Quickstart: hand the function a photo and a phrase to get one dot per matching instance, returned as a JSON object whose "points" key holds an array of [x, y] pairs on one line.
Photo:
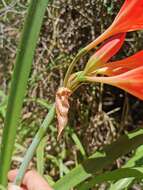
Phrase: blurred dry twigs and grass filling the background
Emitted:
{"points": [[98, 115]]}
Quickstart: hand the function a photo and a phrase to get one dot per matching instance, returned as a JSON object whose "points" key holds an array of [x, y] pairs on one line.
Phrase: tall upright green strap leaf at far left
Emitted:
{"points": [[22, 69]]}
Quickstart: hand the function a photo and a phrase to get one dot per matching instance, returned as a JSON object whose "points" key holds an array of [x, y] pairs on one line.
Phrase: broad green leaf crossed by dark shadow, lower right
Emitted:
{"points": [[99, 161]]}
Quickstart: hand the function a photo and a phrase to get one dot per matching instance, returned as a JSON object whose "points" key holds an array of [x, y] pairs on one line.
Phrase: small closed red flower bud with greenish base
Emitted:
{"points": [[105, 52]]}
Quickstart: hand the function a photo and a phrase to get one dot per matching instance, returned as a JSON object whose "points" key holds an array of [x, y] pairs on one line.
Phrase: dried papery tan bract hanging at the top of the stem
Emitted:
{"points": [[62, 108]]}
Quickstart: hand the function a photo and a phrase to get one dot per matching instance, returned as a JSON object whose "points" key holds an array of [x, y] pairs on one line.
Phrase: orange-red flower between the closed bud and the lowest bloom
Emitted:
{"points": [[119, 67]]}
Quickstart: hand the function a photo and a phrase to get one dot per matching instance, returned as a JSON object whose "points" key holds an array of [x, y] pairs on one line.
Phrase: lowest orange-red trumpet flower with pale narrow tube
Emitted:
{"points": [[131, 81]]}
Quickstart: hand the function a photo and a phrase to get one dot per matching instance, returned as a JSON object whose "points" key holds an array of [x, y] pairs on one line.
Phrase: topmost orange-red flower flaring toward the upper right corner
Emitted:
{"points": [[129, 18]]}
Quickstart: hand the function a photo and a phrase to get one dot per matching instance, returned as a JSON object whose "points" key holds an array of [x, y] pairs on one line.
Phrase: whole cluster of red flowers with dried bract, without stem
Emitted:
{"points": [[126, 74]]}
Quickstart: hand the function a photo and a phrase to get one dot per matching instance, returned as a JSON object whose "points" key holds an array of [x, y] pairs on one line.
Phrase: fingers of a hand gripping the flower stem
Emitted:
{"points": [[32, 181]]}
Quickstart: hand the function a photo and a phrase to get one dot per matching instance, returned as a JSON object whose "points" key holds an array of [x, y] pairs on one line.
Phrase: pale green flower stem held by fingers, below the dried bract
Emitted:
{"points": [[31, 150]]}
